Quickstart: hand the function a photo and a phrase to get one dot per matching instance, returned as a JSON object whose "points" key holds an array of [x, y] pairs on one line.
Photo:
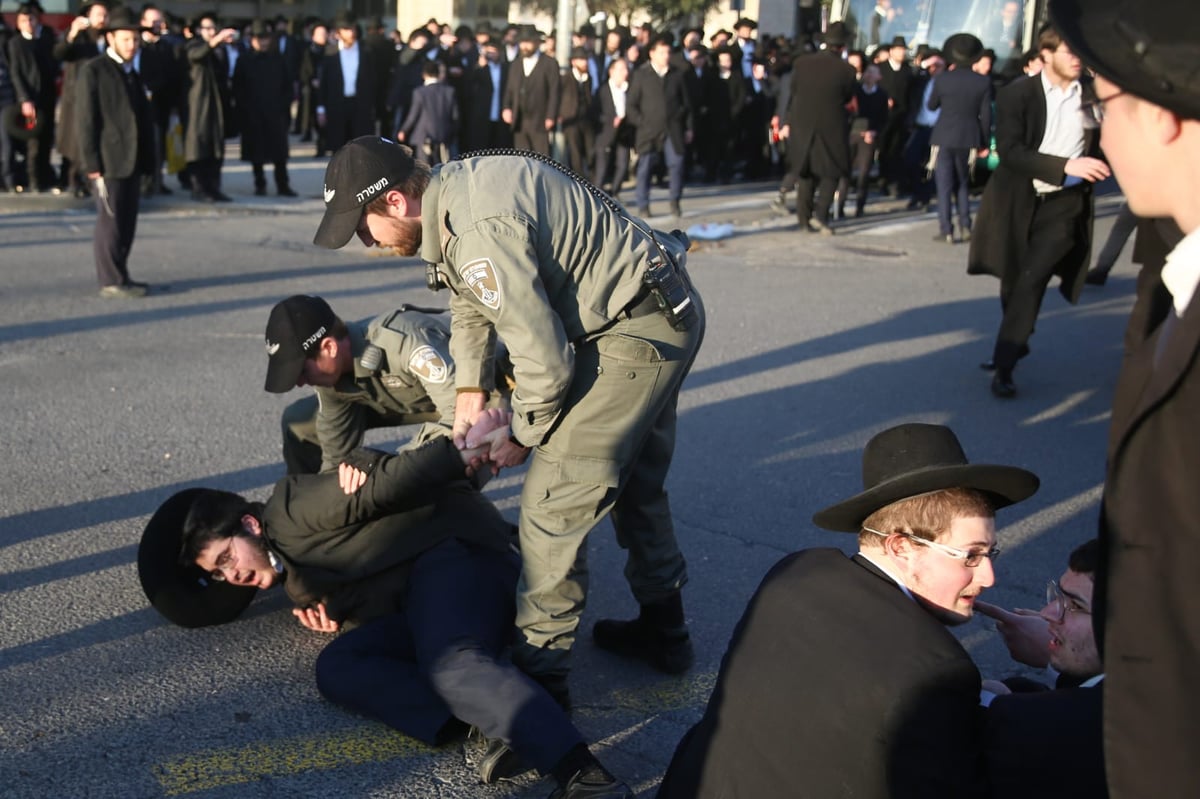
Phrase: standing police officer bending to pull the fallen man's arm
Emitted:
{"points": [[602, 325]]}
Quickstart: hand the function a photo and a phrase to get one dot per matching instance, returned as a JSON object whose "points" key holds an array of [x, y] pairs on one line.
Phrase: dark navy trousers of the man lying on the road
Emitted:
{"points": [[443, 658]]}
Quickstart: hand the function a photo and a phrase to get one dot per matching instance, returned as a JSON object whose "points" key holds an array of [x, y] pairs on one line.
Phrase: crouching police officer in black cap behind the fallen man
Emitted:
{"points": [[385, 373]]}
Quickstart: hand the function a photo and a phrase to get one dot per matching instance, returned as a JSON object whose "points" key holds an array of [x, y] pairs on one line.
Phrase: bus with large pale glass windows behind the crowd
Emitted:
{"points": [[1007, 27]]}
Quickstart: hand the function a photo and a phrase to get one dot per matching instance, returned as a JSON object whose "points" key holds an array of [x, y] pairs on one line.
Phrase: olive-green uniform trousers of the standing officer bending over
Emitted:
{"points": [[610, 450]]}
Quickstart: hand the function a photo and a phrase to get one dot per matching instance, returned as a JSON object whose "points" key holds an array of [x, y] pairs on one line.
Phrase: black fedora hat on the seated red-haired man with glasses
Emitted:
{"points": [[915, 459]]}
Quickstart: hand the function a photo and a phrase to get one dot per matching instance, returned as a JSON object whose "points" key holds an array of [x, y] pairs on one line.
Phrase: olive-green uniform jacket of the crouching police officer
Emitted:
{"points": [[415, 382]]}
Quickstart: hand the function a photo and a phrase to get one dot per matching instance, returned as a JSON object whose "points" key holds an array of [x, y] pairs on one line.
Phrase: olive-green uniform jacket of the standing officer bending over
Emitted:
{"points": [[535, 257]]}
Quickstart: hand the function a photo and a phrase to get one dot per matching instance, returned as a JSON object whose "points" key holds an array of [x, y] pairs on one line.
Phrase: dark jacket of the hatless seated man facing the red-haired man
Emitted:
{"points": [[1046, 746]]}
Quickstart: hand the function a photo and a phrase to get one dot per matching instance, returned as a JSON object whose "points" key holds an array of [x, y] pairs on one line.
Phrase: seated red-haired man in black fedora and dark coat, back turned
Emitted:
{"points": [[842, 678]]}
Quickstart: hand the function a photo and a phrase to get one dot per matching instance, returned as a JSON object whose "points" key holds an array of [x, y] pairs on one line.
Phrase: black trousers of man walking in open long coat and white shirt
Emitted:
{"points": [[1052, 239]]}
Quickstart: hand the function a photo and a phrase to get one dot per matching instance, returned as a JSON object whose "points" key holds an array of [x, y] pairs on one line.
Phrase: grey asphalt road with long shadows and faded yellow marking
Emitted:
{"points": [[813, 346]]}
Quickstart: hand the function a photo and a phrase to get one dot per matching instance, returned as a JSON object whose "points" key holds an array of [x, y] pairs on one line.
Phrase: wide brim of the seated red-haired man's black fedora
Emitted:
{"points": [[1003, 484]]}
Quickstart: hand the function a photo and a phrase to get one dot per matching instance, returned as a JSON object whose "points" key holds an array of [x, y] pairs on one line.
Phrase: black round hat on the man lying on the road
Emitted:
{"points": [[184, 596]]}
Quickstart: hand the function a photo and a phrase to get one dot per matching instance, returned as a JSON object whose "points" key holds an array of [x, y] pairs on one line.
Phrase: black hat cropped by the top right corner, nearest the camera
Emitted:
{"points": [[1150, 50]]}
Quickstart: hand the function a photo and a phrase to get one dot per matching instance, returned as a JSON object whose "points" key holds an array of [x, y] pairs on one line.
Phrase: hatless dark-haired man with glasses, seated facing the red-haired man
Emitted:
{"points": [[1047, 743]]}
